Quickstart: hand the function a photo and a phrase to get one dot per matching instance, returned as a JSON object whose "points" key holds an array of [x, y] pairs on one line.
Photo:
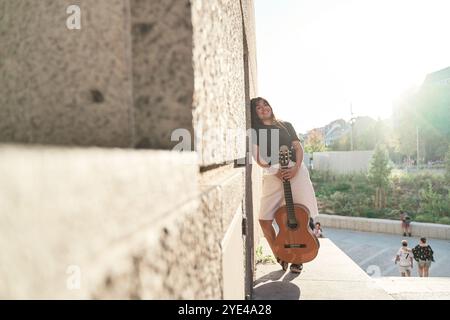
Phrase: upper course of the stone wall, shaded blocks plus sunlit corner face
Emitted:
{"points": [[136, 71]]}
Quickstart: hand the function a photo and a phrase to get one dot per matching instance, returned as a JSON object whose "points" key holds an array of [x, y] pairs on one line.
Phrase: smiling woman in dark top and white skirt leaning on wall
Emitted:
{"points": [[268, 128]]}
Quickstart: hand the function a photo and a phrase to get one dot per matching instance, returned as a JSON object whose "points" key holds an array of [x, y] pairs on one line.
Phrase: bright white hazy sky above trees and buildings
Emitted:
{"points": [[316, 58]]}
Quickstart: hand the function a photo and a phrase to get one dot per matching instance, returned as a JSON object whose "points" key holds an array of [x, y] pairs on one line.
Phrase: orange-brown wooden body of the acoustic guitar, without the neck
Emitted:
{"points": [[295, 245]]}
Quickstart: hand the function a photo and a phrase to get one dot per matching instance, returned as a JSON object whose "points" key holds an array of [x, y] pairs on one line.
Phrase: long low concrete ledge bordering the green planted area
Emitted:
{"points": [[419, 229]]}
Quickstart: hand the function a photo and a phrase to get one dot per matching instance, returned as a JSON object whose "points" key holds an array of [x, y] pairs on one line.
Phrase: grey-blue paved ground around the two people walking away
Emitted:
{"points": [[374, 252]]}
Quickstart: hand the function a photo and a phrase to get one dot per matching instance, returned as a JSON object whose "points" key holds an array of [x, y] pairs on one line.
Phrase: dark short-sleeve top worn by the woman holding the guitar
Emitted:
{"points": [[286, 137]]}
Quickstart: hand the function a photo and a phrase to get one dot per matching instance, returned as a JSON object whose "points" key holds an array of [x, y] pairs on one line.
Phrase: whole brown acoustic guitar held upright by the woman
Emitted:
{"points": [[295, 242]]}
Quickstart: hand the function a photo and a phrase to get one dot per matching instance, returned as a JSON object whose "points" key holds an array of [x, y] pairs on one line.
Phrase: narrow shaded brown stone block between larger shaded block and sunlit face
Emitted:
{"points": [[163, 76]]}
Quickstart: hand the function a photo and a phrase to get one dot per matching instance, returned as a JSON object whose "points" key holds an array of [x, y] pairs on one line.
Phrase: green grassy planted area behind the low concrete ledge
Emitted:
{"points": [[424, 196]]}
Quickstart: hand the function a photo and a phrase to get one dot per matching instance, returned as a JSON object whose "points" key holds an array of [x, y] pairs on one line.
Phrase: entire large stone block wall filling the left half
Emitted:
{"points": [[132, 224]]}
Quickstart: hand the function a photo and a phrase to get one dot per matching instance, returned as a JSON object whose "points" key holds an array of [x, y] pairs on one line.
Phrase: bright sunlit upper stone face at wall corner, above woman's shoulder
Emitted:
{"points": [[219, 97]]}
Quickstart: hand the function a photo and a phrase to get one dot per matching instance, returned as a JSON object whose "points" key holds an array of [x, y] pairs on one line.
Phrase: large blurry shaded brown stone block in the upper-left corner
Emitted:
{"points": [[61, 86]]}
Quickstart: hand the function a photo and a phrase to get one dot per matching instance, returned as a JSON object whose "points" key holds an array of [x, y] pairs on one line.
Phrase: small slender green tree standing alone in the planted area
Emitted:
{"points": [[379, 173]]}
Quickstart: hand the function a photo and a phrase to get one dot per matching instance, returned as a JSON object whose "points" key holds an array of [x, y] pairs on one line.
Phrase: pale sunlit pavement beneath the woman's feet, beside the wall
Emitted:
{"points": [[332, 275]]}
